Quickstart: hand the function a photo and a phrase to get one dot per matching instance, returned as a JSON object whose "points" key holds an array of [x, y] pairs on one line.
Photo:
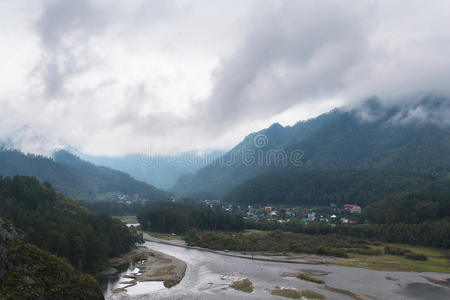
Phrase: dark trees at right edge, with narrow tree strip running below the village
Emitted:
{"points": [[412, 218]]}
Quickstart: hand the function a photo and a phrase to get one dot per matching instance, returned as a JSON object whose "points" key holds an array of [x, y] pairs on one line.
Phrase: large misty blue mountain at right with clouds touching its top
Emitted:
{"points": [[413, 137]]}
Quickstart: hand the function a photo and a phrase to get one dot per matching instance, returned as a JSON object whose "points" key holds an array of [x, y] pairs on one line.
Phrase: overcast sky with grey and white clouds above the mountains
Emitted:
{"points": [[116, 77]]}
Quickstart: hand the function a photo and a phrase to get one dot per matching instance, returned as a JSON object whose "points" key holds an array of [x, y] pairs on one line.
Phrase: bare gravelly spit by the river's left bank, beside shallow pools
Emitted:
{"points": [[153, 266]]}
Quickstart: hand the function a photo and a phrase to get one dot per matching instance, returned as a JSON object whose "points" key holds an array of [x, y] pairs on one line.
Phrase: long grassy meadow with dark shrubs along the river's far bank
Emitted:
{"points": [[347, 251]]}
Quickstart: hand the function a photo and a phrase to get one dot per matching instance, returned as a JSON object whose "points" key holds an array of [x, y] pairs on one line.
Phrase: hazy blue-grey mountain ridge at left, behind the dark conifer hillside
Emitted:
{"points": [[75, 177]]}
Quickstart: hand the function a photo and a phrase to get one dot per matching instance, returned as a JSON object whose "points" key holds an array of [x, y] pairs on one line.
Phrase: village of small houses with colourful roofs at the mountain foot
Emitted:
{"points": [[333, 214]]}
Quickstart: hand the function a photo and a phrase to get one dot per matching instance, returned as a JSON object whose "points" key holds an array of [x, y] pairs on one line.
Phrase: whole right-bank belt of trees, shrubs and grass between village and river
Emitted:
{"points": [[390, 239]]}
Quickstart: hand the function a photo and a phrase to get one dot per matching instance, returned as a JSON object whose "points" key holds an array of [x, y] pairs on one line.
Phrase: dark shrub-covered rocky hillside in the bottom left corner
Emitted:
{"points": [[27, 272]]}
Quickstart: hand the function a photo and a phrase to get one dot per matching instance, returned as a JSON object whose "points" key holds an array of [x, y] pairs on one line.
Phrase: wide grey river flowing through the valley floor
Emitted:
{"points": [[209, 275]]}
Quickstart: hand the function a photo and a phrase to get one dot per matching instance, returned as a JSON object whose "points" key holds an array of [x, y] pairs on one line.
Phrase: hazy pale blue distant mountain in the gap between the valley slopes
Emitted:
{"points": [[162, 171]]}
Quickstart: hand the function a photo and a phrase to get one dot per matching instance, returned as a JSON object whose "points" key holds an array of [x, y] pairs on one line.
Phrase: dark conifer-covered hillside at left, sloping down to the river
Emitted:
{"points": [[61, 226]]}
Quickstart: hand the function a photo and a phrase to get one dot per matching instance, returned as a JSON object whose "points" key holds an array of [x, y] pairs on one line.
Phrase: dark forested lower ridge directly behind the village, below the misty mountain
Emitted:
{"points": [[325, 187]]}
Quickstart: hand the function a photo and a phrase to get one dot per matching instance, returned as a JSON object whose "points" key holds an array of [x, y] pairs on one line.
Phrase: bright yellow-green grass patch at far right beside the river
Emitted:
{"points": [[438, 260]]}
